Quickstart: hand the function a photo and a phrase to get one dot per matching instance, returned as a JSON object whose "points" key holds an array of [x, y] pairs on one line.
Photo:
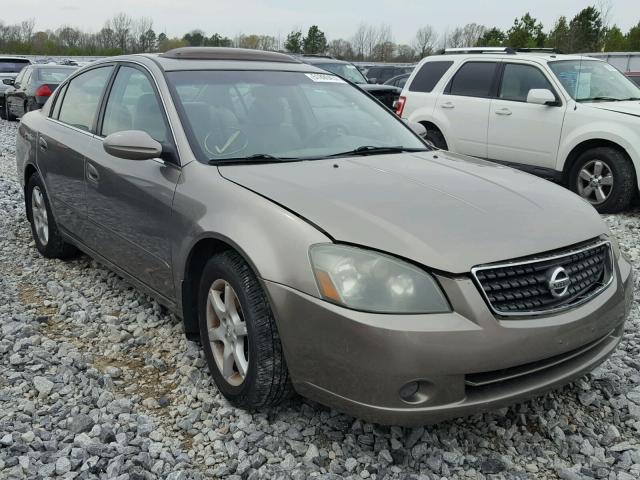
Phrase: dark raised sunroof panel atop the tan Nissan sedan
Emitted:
{"points": [[227, 53]]}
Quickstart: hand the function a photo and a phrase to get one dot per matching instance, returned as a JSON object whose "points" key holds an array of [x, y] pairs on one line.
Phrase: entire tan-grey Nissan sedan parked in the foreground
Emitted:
{"points": [[312, 241]]}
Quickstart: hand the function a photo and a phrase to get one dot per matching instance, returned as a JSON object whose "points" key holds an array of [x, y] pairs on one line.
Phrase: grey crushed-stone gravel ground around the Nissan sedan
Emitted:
{"points": [[97, 381]]}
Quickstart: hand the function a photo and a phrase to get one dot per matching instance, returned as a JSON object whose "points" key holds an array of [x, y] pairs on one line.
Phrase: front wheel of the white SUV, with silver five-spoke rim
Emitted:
{"points": [[605, 178]]}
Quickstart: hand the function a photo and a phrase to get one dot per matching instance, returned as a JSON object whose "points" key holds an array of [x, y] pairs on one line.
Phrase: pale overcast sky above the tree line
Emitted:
{"points": [[337, 18]]}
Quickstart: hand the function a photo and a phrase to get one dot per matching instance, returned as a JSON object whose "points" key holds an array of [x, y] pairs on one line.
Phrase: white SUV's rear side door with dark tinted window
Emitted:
{"points": [[462, 110]]}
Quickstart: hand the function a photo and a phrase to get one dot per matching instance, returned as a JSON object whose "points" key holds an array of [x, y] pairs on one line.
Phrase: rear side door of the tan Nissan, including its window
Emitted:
{"points": [[64, 142]]}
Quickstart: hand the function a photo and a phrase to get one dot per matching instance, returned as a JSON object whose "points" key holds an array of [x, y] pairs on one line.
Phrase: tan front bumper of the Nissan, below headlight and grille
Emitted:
{"points": [[464, 362]]}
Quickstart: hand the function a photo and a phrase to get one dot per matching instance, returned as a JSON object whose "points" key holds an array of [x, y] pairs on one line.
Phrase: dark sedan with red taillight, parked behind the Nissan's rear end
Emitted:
{"points": [[32, 87]]}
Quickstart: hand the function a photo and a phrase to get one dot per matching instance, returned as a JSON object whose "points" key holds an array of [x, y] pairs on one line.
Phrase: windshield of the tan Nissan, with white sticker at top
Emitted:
{"points": [[284, 115]]}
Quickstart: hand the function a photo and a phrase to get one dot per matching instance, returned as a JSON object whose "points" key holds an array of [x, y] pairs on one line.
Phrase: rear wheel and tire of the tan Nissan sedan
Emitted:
{"points": [[44, 229]]}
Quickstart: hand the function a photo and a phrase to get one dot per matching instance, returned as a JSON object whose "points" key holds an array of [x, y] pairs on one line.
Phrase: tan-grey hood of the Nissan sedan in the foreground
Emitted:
{"points": [[442, 210]]}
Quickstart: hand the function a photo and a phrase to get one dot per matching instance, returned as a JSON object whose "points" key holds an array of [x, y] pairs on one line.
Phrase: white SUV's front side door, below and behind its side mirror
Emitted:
{"points": [[522, 132]]}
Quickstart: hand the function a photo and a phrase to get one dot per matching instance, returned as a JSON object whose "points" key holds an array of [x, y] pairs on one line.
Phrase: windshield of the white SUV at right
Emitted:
{"points": [[593, 80]]}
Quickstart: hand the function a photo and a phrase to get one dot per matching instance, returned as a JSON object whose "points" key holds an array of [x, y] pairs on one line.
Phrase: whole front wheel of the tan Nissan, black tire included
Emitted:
{"points": [[239, 334]]}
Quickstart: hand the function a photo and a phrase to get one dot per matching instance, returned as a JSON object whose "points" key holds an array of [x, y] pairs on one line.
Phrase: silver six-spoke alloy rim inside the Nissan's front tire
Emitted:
{"points": [[227, 332]]}
